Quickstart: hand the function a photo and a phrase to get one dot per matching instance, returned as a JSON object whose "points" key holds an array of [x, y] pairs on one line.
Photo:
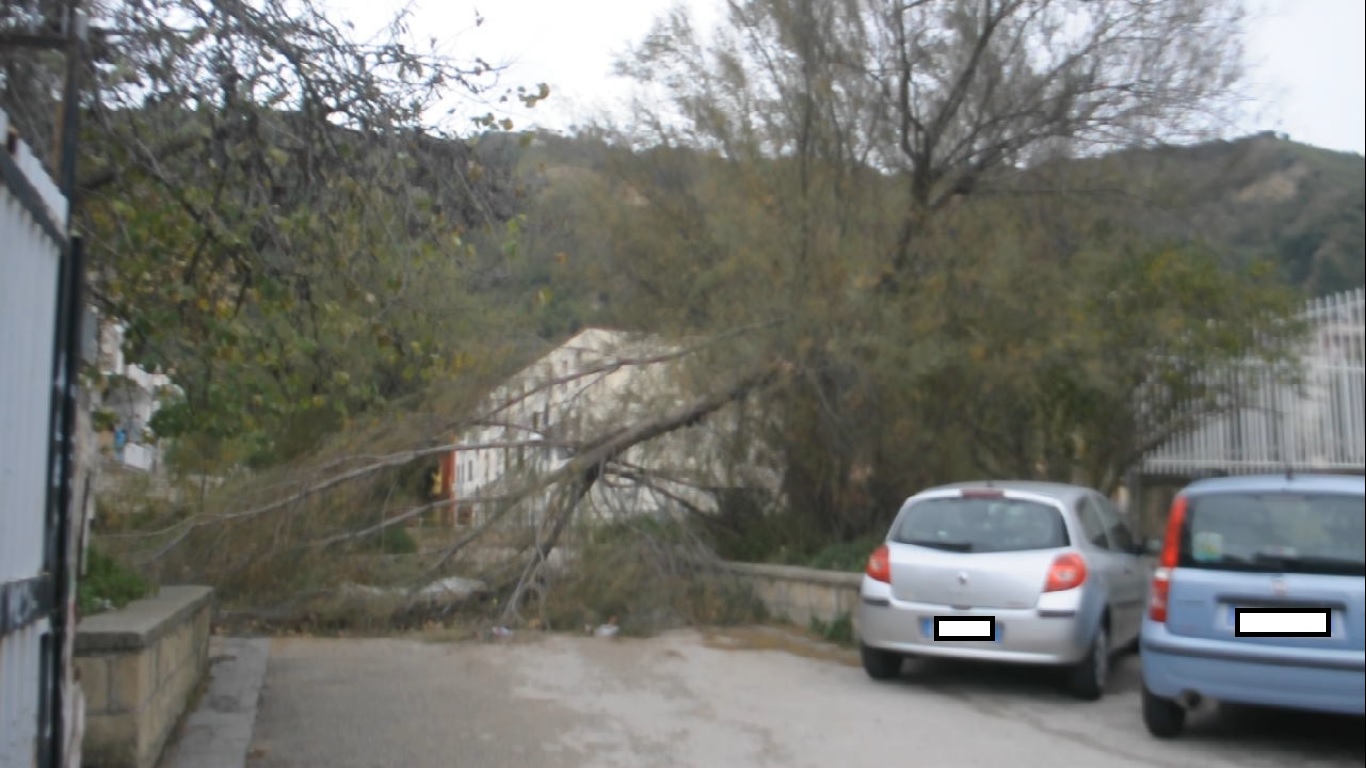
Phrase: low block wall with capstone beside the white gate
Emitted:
{"points": [[139, 669]]}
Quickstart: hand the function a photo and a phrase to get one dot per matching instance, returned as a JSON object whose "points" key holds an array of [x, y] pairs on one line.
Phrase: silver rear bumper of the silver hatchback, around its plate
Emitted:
{"points": [[1029, 636]]}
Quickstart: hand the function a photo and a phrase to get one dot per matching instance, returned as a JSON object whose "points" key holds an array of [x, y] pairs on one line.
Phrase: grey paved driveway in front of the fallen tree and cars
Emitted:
{"points": [[685, 700]]}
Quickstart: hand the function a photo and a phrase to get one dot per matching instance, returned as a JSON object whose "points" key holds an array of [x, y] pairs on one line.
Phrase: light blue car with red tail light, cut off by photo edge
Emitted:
{"points": [[1259, 598]]}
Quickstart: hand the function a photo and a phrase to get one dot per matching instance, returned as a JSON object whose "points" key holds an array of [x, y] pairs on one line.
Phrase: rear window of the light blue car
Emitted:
{"points": [[1277, 534]]}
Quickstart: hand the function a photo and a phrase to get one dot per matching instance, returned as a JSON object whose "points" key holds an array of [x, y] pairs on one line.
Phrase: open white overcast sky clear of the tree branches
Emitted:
{"points": [[1308, 57]]}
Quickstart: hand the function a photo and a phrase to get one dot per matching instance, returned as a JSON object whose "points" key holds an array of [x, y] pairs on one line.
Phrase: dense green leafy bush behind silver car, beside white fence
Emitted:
{"points": [[1078, 359]]}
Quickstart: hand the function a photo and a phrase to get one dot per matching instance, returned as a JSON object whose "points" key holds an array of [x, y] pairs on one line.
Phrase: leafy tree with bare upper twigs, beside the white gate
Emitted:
{"points": [[277, 208]]}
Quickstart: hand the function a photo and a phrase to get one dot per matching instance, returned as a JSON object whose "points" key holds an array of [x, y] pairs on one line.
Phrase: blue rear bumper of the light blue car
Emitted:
{"points": [[1322, 683]]}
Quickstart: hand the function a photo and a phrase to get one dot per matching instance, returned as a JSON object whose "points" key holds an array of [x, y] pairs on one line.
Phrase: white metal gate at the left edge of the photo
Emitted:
{"points": [[33, 217]]}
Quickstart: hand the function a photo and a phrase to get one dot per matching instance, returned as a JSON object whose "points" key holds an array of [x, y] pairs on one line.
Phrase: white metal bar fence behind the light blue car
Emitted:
{"points": [[1315, 424]]}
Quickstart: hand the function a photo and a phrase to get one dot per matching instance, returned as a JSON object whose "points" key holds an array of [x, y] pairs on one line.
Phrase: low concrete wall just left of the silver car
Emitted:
{"points": [[800, 595]]}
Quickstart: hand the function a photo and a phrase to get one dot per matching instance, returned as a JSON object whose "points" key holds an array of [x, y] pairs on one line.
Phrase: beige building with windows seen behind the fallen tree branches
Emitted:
{"points": [[594, 385]]}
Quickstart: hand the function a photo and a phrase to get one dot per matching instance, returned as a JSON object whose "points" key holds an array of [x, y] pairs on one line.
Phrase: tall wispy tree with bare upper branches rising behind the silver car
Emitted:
{"points": [[887, 184]]}
